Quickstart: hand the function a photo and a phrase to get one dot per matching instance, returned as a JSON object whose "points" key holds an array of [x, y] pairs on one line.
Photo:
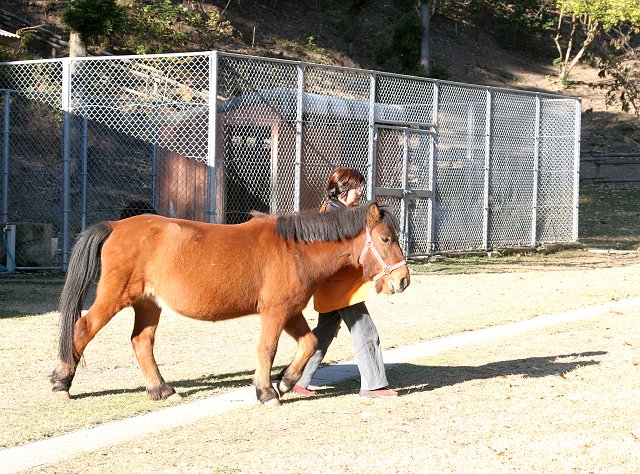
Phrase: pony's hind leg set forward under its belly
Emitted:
{"points": [[142, 340]]}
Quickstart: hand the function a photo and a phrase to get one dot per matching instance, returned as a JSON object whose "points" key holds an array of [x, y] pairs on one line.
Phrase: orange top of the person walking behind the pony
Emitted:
{"points": [[343, 289]]}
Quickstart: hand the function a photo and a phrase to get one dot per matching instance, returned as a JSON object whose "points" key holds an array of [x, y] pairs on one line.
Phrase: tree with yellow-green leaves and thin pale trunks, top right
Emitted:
{"points": [[580, 22]]}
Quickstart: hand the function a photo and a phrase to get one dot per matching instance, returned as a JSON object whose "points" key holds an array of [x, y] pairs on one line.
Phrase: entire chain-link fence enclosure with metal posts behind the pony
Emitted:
{"points": [[211, 136]]}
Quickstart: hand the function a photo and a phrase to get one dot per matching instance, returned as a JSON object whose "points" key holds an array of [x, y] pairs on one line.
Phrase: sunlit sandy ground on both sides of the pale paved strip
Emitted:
{"points": [[549, 400]]}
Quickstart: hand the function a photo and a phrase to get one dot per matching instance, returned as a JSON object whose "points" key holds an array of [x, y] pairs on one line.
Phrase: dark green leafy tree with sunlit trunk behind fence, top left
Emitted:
{"points": [[87, 20]]}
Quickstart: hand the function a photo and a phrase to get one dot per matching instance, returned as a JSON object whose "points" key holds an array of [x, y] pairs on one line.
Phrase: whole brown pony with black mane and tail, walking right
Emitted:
{"points": [[268, 265]]}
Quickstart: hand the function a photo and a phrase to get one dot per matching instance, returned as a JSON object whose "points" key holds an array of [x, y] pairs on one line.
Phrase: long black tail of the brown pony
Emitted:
{"points": [[84, 265]]}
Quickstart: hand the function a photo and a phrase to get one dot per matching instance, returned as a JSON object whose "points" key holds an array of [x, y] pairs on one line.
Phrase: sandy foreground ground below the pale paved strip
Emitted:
{"points": [[561, 399]]}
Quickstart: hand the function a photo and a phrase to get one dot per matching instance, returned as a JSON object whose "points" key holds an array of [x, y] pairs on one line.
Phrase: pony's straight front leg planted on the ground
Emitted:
{"points": [[271, 328]]}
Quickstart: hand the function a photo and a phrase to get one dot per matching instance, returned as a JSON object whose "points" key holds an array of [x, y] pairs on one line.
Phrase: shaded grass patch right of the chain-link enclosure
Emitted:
{"points": [[609, 216]]}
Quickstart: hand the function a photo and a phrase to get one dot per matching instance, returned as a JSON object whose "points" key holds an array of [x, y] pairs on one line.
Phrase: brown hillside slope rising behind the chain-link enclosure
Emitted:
{"points": [[322, 32]]}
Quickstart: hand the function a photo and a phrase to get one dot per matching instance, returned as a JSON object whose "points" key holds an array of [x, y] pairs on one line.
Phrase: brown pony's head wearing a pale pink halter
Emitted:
{"points": [[381, 257]]}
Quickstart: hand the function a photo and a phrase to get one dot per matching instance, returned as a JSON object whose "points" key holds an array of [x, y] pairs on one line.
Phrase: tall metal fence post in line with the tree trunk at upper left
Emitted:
{"points": [[66, 160]]}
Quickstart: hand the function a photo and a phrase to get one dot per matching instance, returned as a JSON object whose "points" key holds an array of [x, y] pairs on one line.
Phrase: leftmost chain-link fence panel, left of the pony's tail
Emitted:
{"points": [[31, 185]]}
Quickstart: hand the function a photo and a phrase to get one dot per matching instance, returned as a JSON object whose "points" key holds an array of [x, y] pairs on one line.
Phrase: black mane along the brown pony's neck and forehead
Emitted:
{"points": [[333, 226]]}
